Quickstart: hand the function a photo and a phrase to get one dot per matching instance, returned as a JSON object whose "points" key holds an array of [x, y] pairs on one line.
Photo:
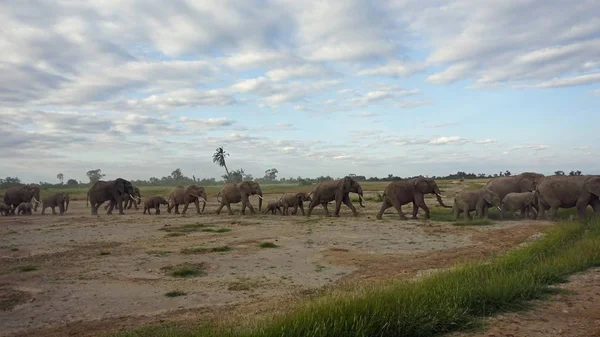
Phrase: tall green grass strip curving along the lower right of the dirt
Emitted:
{"points": [[450, 300]]}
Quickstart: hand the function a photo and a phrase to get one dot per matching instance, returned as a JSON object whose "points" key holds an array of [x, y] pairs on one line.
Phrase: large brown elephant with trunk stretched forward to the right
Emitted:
{"points": [[401, 192]]}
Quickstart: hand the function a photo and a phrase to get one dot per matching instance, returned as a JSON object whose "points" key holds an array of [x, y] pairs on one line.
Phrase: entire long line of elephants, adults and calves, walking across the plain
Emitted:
{"points": [[529, 192]]}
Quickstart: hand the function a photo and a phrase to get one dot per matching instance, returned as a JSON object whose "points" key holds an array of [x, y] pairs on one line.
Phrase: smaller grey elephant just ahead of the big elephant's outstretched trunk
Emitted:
{"points": [[479, 201]]}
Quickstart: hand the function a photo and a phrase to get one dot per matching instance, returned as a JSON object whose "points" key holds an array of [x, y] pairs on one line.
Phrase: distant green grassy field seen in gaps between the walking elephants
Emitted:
{"points": [[79, 193]]}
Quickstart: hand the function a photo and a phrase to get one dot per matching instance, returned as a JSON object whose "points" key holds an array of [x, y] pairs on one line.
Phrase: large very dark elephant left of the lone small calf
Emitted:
{"points": [[113, 191]]}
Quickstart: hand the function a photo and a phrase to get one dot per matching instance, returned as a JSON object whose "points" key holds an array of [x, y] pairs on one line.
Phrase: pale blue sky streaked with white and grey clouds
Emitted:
{"points": [[140, 88]]}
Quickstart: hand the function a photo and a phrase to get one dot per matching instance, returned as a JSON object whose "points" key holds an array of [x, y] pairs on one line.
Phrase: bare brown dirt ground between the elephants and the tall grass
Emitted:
{"points": [[82, 275]]}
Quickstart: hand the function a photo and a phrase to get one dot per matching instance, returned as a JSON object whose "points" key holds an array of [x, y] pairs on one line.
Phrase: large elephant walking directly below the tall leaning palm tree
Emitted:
{"points": [[232, 193]]}
